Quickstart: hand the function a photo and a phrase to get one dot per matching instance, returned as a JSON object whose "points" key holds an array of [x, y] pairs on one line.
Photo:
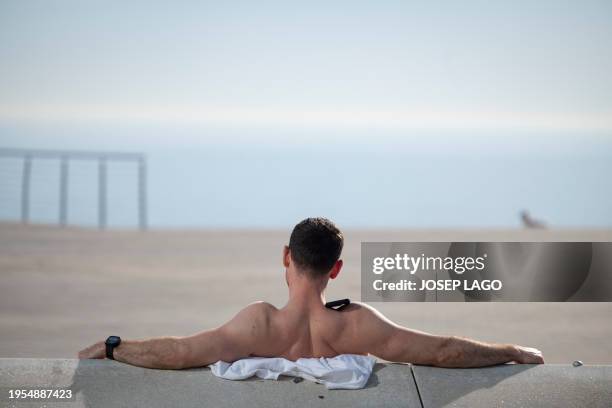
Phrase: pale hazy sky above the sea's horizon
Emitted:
{"points": [[537, 65]]}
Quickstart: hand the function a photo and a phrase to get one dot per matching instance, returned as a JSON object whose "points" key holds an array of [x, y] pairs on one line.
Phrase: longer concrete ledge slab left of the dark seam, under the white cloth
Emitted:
{"points": [[104, 383]]}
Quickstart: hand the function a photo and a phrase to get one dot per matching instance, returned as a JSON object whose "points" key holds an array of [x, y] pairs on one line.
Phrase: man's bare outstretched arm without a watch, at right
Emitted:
{"points": [[392, 342]]}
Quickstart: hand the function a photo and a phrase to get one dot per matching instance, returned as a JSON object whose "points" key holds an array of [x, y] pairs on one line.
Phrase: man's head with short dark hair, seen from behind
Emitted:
{"points": [[315, 246]]}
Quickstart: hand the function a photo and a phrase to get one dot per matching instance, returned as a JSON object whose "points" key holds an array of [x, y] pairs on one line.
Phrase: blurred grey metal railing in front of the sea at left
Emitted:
{"points": [[64, 157]]}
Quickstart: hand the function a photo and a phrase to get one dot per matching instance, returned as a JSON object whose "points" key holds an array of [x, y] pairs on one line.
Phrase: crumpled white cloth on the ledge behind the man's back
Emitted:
{"points": [[346, 371]]}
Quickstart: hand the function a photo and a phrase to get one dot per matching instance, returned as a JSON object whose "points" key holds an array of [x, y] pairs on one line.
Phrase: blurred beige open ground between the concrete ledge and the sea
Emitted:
{"points": [[62, 289]]}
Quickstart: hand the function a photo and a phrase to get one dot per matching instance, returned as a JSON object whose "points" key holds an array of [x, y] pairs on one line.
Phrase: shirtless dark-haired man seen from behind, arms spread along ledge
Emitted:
{"points": [[306, 328]]}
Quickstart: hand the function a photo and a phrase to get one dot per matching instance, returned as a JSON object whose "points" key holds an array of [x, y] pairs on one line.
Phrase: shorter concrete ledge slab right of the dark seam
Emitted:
{"points": [[516, 386]]}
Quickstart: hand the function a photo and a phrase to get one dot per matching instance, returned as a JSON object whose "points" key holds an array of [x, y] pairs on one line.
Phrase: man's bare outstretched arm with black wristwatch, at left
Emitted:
{"points": [[236, 339]]}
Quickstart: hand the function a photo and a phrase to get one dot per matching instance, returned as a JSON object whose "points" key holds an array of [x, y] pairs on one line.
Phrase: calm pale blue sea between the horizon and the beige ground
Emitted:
{"points": [[208, 177]]}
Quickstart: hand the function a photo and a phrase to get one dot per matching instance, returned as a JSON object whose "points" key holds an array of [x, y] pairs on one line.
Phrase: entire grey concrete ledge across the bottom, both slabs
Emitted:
{"points": [[103, 383]]}
